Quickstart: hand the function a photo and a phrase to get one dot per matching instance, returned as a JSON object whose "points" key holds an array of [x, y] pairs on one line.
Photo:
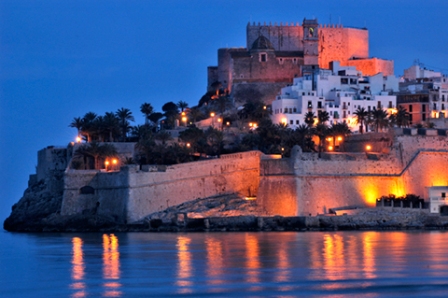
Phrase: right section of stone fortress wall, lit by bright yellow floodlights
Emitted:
{"points": [[312, 186]]}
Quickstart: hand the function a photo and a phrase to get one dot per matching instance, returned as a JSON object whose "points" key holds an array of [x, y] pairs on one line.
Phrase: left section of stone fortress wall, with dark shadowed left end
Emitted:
{"points": [[131, 194]]}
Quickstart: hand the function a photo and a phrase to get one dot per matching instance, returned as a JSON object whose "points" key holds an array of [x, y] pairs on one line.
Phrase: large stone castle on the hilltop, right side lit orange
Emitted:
{"points": [[276, 54]]}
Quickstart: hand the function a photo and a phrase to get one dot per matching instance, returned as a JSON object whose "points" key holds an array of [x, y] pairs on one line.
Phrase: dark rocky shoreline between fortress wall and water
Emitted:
{"points": [[218, 214]]}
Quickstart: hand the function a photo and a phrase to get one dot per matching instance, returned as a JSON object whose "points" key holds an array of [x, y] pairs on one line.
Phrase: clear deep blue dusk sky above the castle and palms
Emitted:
{"points": [[61, 59]]}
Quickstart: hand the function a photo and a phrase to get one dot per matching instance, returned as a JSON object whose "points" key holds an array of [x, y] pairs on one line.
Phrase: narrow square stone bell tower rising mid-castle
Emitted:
{"points": [[310, 42]]}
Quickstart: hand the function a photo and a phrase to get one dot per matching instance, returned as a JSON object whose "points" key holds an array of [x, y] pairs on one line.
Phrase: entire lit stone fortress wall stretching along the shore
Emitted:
{"points": [[301, 185]]}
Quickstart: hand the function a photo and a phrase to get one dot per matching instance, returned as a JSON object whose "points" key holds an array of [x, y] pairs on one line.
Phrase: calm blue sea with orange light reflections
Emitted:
{"points": [[319, 264]]}
